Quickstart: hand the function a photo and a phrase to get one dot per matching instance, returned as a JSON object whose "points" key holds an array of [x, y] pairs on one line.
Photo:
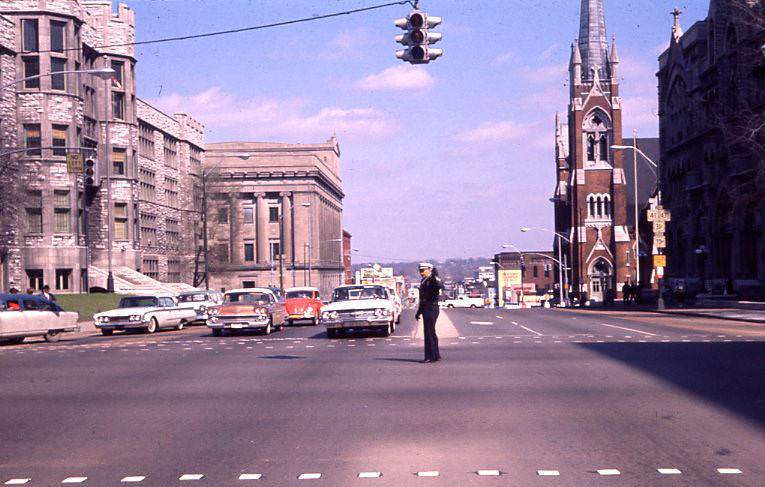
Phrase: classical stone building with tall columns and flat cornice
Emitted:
{"points": [[275, 214]]}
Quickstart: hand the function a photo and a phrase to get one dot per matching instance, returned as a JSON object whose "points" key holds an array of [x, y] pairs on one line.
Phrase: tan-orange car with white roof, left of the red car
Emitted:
{"points": [[248, 309]]}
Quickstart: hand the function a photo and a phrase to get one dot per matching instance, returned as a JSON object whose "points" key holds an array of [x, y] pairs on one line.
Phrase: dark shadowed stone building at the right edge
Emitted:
{"points": [[711, 100]]}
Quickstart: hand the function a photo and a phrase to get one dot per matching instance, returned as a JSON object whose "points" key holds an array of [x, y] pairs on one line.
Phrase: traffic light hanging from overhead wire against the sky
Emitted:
{"points": [[418, 38]]}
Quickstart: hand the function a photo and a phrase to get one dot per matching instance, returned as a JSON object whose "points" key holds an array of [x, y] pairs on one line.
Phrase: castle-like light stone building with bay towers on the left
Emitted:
{"points": [[148, 163]]}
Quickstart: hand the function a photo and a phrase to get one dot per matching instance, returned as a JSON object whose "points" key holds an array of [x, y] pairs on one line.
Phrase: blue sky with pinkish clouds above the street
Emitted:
{"points": [[443, 160]]}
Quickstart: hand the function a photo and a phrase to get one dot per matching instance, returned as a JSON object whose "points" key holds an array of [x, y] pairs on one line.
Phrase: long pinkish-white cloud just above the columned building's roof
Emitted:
{"points": [[227, 115]]}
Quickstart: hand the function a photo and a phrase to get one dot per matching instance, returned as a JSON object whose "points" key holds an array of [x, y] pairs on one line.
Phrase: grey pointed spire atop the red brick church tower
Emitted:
{"points": [[593, 44]]}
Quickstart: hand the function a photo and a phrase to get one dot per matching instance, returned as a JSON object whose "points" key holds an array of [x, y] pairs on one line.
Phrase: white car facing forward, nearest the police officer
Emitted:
{"points": [[359, 307]]}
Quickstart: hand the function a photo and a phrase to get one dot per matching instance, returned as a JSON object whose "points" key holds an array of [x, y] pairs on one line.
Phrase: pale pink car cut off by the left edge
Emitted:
{"points": [[24, 315]]}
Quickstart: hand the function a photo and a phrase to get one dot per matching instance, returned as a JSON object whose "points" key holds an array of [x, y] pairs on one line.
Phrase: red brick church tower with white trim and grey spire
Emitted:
{"points": [[591, 190]]}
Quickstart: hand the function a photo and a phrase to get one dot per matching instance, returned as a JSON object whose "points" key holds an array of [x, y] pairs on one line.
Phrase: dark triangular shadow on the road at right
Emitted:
{"points": [[730, 374]]}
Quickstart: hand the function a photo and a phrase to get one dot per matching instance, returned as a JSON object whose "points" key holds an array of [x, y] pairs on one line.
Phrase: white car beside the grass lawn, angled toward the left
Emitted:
{"points": [[146, 313]]}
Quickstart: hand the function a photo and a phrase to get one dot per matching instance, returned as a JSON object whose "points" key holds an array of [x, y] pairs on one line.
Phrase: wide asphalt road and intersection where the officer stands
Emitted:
{"points": [[527, 394]]}
